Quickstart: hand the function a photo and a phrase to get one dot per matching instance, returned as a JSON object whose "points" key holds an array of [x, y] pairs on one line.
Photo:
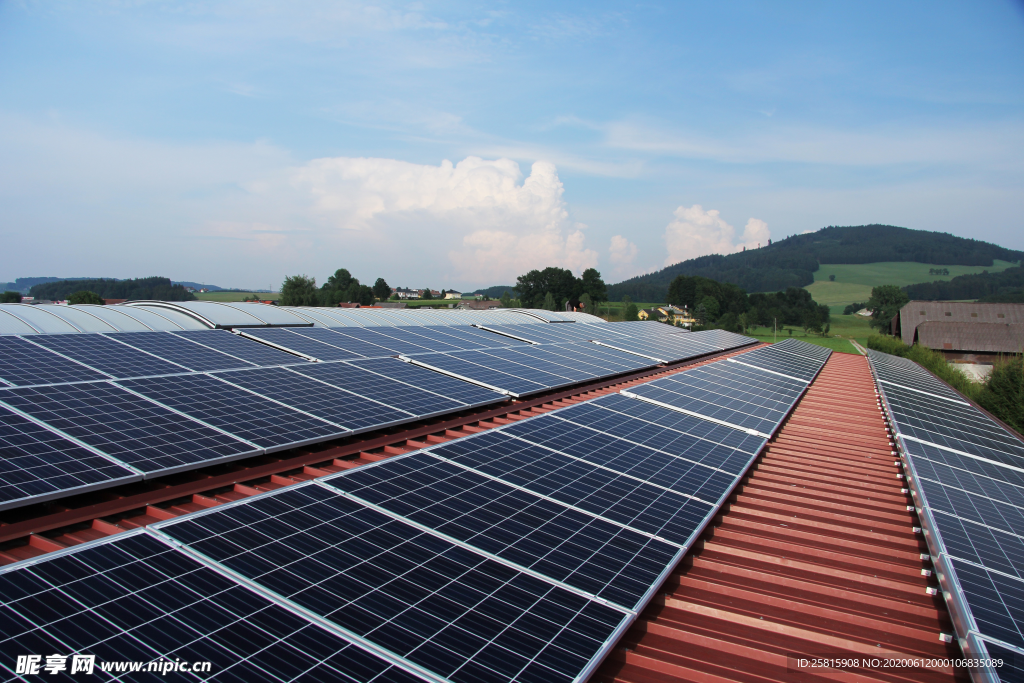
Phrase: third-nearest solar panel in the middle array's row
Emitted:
{"points": [[569, 546]]}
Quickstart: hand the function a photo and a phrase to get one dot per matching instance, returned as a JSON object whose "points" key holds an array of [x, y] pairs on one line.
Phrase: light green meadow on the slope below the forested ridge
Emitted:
{"points": [[855, 281]]}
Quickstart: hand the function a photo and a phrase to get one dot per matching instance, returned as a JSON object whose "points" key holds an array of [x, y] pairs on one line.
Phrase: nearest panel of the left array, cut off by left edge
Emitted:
{"points": [[37, 464]]}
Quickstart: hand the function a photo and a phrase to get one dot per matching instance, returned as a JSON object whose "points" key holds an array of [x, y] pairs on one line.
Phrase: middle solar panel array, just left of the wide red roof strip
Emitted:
{"points": [[518, 554]]}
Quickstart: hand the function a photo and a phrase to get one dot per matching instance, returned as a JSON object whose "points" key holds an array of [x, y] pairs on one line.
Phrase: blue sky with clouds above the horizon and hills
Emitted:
{"points": [[457, 145]]}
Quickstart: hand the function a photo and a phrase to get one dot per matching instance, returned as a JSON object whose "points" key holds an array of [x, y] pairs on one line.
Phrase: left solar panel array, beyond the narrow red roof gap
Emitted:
{"points": [[140, 405]]}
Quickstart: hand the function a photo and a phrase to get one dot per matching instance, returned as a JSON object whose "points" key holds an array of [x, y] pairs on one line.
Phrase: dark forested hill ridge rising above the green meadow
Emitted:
{"points": [[793, 262]]}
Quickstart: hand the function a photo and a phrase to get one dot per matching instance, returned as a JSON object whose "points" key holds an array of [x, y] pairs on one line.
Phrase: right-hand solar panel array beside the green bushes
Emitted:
{"points": [[966, 474]]}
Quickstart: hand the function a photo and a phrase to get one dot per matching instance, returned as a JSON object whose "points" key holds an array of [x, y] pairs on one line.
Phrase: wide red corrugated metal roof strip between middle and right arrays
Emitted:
{"points": [[817, 553]]}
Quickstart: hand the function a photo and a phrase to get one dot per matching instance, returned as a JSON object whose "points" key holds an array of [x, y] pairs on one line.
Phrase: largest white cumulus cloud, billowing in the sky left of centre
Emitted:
{"points": [[494, 224]]}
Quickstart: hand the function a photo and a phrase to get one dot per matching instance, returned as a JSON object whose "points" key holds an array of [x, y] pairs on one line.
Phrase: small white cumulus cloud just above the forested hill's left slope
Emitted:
{"points": [[698, 233]]}
